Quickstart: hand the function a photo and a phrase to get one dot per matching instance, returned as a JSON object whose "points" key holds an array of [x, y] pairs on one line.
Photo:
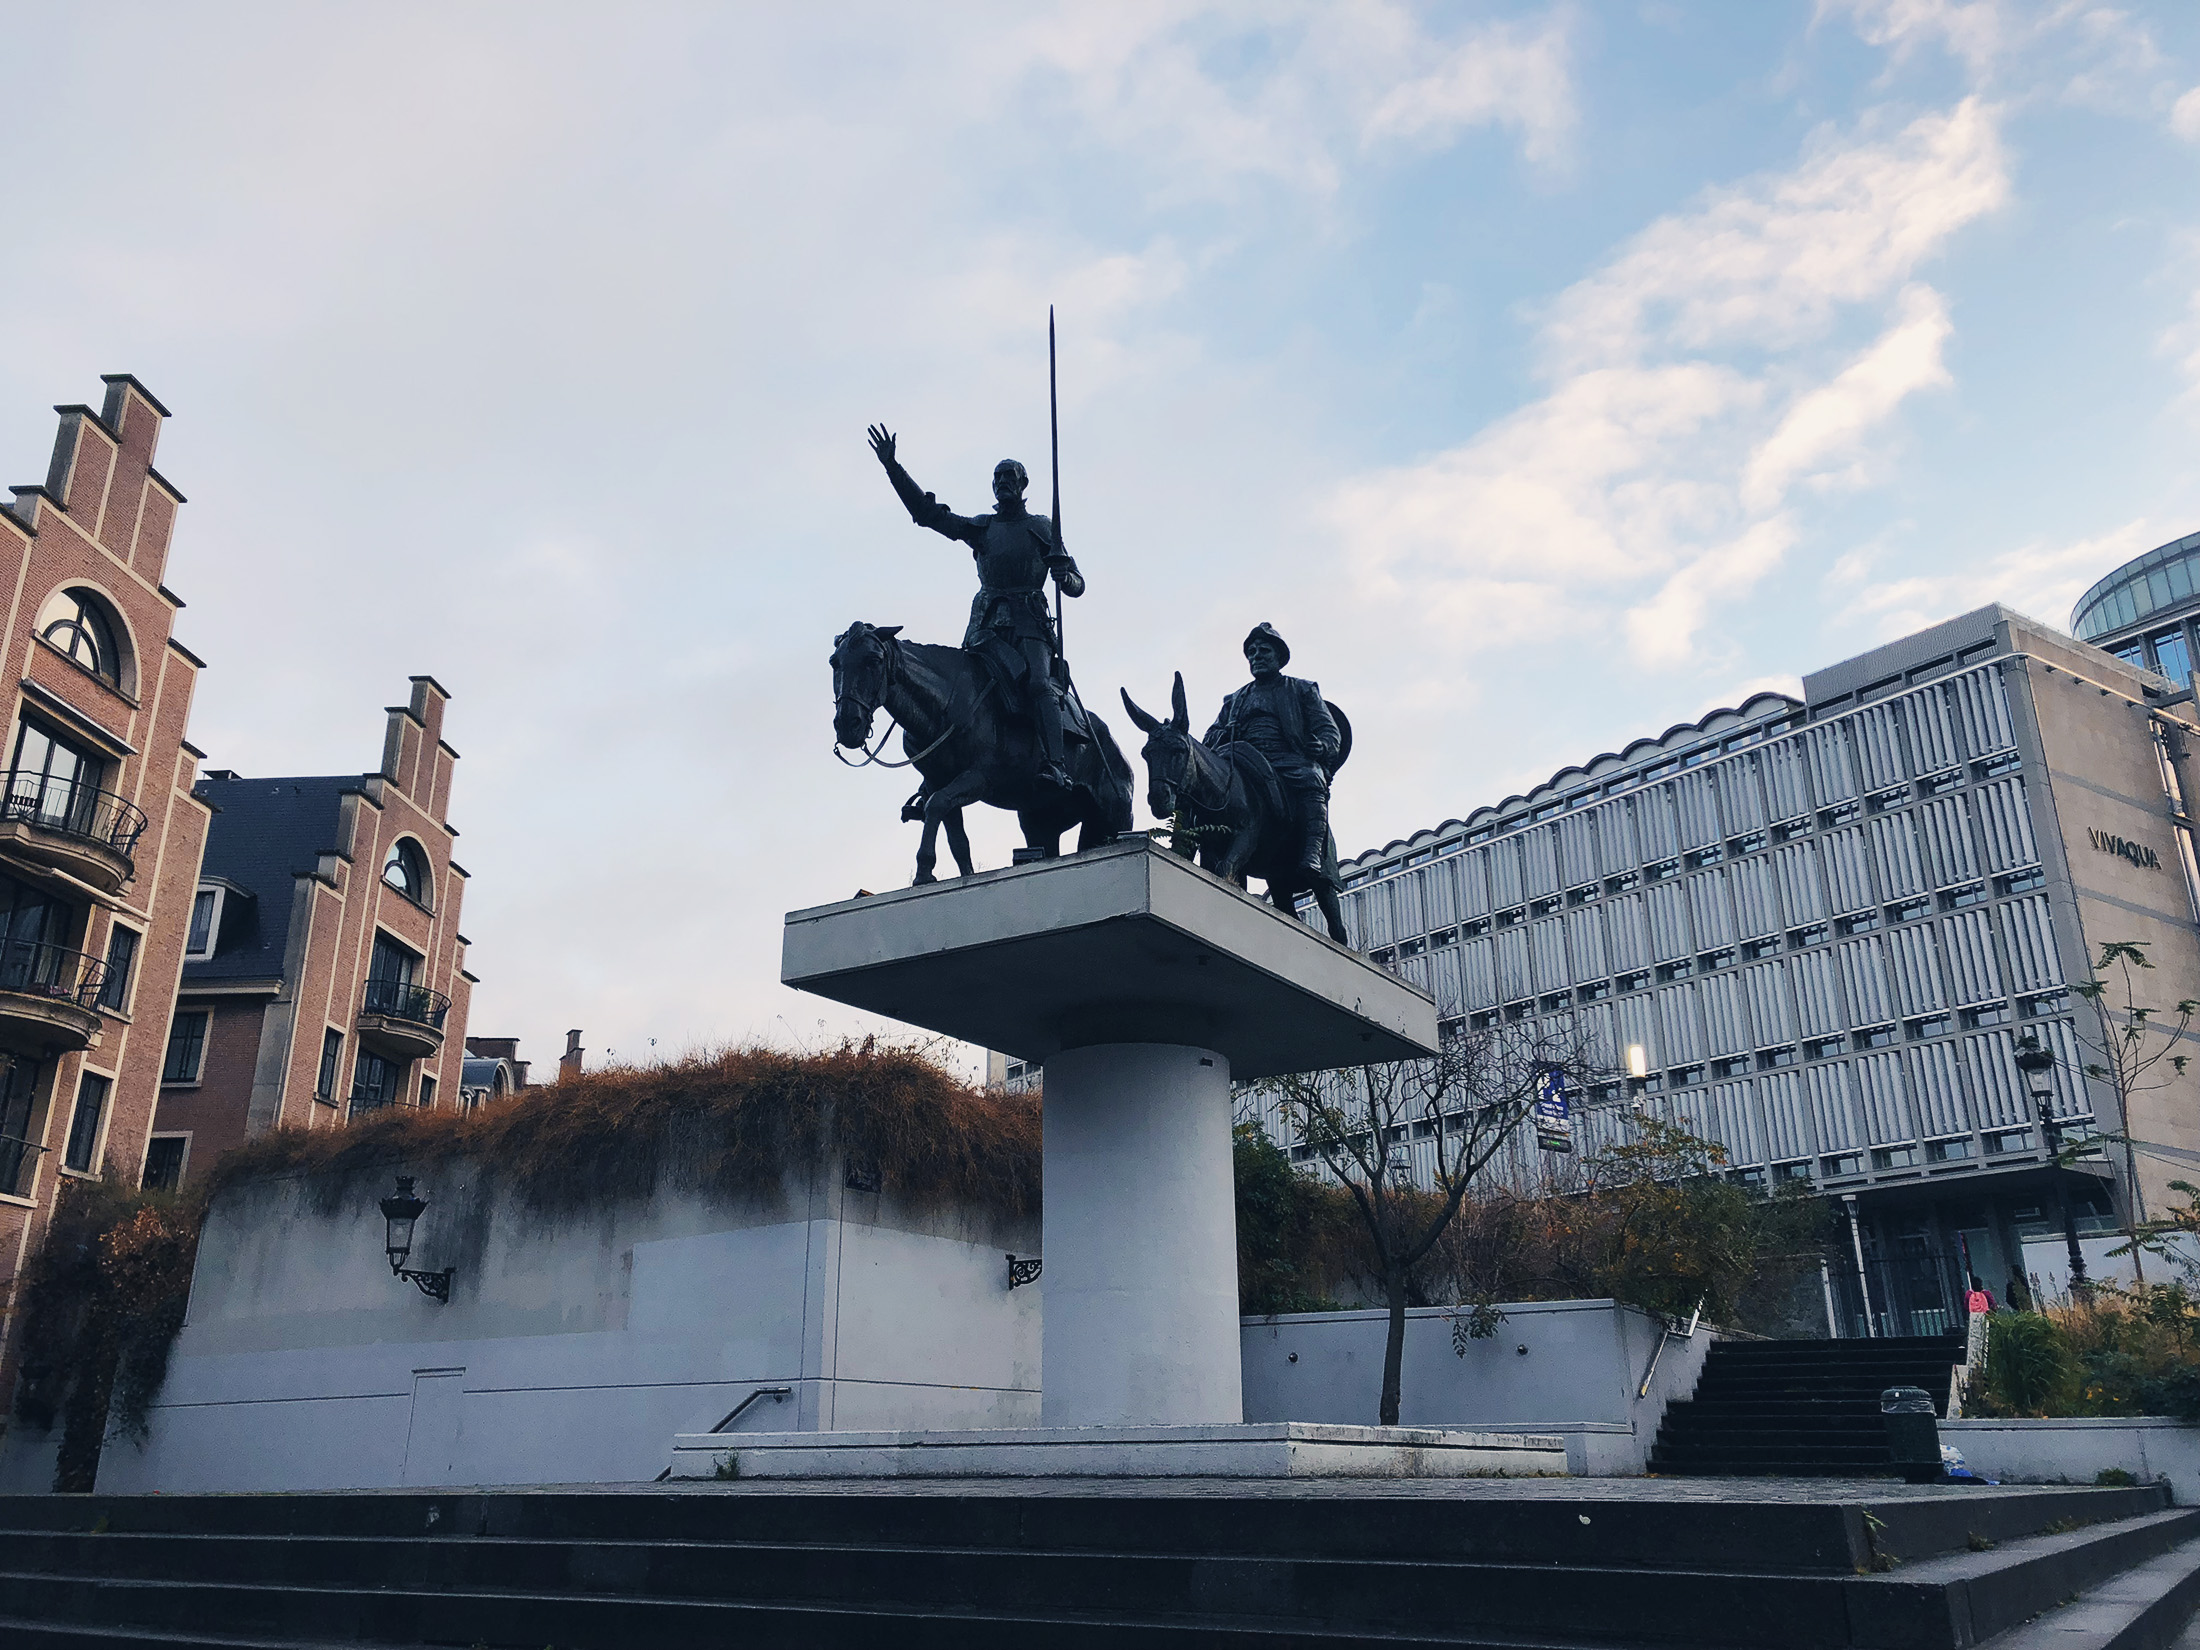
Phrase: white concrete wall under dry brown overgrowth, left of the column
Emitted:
{"points": [[573, 1347]]}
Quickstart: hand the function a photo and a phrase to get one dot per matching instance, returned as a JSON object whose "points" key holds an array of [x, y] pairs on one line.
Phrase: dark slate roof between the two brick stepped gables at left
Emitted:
{"points": [[263, 835]]}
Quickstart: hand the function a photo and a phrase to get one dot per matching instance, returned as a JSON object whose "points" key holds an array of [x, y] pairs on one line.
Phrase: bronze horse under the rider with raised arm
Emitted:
{"points": [[969, 747]]}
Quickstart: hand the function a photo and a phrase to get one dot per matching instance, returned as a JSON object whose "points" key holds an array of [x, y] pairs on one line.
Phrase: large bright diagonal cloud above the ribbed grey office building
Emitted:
{"points": [[1691, 399]]}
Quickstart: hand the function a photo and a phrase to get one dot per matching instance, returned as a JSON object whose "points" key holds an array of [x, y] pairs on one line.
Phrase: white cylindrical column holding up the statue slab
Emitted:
{"points": [[1141, 1240]]}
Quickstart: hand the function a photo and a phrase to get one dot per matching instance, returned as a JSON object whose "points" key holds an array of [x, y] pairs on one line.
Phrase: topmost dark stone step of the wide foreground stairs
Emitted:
{"points": [[1757, 1530]]}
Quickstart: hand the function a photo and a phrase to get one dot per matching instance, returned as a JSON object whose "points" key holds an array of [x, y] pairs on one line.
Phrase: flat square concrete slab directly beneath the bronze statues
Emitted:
{"points": [[1119, 945]]}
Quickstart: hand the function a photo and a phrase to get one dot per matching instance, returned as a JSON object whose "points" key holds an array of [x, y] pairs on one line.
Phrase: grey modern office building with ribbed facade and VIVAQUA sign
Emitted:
{"points": [[1825, 923]]}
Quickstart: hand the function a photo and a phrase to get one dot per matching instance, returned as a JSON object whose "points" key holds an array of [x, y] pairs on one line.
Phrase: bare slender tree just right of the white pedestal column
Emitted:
{"points": [[1466, 1103]]}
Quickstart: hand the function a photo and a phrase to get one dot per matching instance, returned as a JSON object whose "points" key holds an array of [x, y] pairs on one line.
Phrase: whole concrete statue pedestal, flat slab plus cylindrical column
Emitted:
{"points": [[1143, 984]]}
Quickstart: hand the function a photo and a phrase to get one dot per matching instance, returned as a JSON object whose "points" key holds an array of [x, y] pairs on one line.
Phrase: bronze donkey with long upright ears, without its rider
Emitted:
{"points": [[1237, 811]]}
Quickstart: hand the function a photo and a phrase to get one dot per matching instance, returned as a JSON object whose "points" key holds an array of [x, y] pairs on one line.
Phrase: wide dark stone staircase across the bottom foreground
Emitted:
{"points": [[1081, 1565]]}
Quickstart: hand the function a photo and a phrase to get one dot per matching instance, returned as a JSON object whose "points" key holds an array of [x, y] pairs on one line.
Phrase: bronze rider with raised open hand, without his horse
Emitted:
{"points": [[1009, 617]]}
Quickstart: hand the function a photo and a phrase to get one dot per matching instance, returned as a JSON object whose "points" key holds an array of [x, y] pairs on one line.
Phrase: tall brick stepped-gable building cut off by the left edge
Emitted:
{"points": [[100, 835]]}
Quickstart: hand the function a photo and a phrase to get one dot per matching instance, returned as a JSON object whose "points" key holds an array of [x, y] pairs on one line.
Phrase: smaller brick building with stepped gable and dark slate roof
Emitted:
{"points": [[324, 971]]}
